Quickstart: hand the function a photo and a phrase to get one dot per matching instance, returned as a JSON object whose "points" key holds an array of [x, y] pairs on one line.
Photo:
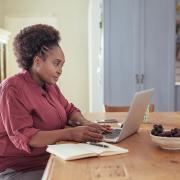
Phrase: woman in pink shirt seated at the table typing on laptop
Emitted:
{"points": [[33, 111]]}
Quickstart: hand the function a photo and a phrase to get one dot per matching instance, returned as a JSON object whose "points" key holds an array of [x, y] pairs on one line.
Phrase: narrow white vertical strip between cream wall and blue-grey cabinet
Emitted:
{"points": [[96, 73]]}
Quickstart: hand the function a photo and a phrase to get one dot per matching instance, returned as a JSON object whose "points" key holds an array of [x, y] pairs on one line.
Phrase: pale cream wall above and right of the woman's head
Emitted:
{"points": [[72, 18]]}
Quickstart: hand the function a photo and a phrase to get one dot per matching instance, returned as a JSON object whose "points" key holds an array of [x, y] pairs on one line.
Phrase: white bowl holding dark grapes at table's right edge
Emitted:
{"points": [[171, 143]]}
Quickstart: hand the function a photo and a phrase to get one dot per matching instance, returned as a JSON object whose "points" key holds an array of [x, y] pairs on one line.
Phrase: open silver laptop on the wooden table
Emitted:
{"points": [[133, 119]]}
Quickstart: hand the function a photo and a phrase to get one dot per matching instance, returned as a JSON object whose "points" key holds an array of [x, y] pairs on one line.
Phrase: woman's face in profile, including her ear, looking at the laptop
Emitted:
{"points": [[49, 69]]}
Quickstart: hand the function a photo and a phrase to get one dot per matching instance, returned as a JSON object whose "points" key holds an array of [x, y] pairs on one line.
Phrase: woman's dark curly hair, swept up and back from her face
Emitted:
{"points": [[33, 40]]}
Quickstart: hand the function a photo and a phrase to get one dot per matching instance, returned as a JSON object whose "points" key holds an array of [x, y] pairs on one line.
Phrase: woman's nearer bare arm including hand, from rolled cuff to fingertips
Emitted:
{"points": [[78, 134]]}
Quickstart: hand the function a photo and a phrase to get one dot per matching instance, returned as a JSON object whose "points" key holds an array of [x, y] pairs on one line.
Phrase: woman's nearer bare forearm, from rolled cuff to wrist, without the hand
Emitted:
{"points": [[44, 138]]}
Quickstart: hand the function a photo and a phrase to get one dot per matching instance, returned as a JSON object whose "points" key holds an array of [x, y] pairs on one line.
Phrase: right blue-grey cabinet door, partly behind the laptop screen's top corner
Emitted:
{"points": [[159, 51]]}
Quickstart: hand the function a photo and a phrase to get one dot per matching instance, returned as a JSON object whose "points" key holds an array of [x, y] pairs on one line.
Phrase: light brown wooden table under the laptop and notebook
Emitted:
{"points": [[144, 161]]}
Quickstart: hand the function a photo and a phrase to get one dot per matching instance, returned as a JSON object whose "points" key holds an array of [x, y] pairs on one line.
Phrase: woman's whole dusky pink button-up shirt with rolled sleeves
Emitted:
{"points": [[26, 108]]}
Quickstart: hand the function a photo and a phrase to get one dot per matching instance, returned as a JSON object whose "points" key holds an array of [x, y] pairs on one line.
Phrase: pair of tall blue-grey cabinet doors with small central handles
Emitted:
{"points": [[139, 41]]}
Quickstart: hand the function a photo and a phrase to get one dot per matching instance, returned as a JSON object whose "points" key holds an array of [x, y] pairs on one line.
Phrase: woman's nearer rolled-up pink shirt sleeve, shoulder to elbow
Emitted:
{"points": [[16, 119]]}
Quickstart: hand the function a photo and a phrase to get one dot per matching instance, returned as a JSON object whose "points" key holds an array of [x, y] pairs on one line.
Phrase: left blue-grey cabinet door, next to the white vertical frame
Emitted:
{"points": [[121, 62]]}
